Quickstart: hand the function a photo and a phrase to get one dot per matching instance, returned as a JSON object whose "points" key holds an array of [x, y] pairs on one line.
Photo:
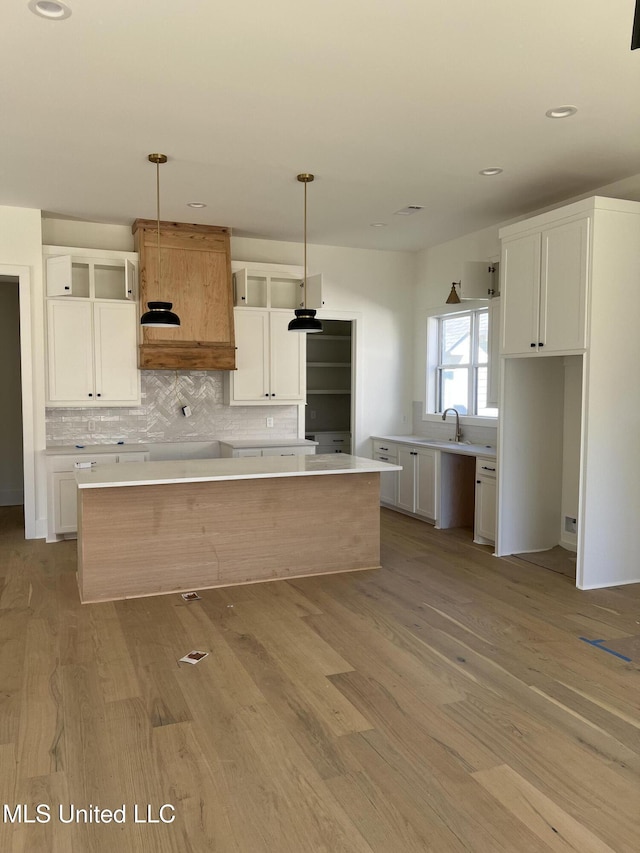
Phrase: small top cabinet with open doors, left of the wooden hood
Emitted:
{"points": [[73, 272]]}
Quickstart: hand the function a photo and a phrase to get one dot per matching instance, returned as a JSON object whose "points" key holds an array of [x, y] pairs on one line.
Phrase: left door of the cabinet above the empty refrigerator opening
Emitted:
{"points": [[521, 295]]}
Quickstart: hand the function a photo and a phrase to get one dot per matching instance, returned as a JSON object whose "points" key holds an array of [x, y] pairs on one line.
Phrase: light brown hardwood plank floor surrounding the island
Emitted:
{"points": [[443, 703]]}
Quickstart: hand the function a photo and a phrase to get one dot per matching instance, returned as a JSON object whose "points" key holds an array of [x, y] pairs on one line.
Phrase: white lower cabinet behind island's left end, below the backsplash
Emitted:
{"points": [[62, 489]]}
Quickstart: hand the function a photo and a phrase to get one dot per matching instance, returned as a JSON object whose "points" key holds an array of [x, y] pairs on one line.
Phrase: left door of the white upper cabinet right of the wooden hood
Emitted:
{"points": [[250, 382]]}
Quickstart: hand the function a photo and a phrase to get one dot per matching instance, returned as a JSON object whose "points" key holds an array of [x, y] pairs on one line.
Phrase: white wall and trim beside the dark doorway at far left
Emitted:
{"points": [[21, 255]]}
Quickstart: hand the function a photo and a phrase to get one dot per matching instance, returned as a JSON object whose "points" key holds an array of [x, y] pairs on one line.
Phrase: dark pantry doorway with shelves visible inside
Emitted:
{"points": [[330, 387]]}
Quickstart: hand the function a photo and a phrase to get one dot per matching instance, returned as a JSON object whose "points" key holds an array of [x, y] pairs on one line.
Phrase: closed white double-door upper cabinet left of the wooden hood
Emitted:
{"points": [[92, 353]]}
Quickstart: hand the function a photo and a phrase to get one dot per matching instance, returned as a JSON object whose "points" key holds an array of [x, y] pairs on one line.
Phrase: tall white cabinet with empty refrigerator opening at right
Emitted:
{"points": [[570, 410]]}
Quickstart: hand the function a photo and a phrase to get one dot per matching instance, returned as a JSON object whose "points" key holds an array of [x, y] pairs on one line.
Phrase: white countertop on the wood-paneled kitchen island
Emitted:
{"points": [[209, 470]]}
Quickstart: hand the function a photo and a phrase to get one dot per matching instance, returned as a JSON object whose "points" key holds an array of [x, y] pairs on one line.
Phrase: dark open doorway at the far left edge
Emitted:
{"points": [[11, 427]]}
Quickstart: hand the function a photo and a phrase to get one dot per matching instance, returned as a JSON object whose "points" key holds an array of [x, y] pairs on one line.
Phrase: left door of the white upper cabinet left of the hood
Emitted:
{"points": [[69, 352]]}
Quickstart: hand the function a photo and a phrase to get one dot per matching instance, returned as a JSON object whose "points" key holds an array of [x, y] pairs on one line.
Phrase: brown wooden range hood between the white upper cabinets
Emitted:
{"points": [[195, 275]]}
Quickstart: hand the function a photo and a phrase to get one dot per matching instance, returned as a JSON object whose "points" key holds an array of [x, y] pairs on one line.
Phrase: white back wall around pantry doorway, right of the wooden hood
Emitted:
{"points": [[378, 287]]}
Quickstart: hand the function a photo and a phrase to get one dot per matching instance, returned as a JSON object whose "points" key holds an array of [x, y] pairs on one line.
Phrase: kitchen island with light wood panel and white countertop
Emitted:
{"points": [[149, 528]]}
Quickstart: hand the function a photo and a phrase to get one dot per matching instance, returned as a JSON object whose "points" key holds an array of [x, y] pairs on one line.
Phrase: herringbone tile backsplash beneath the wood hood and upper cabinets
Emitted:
{"points": [[160, 418]]}
